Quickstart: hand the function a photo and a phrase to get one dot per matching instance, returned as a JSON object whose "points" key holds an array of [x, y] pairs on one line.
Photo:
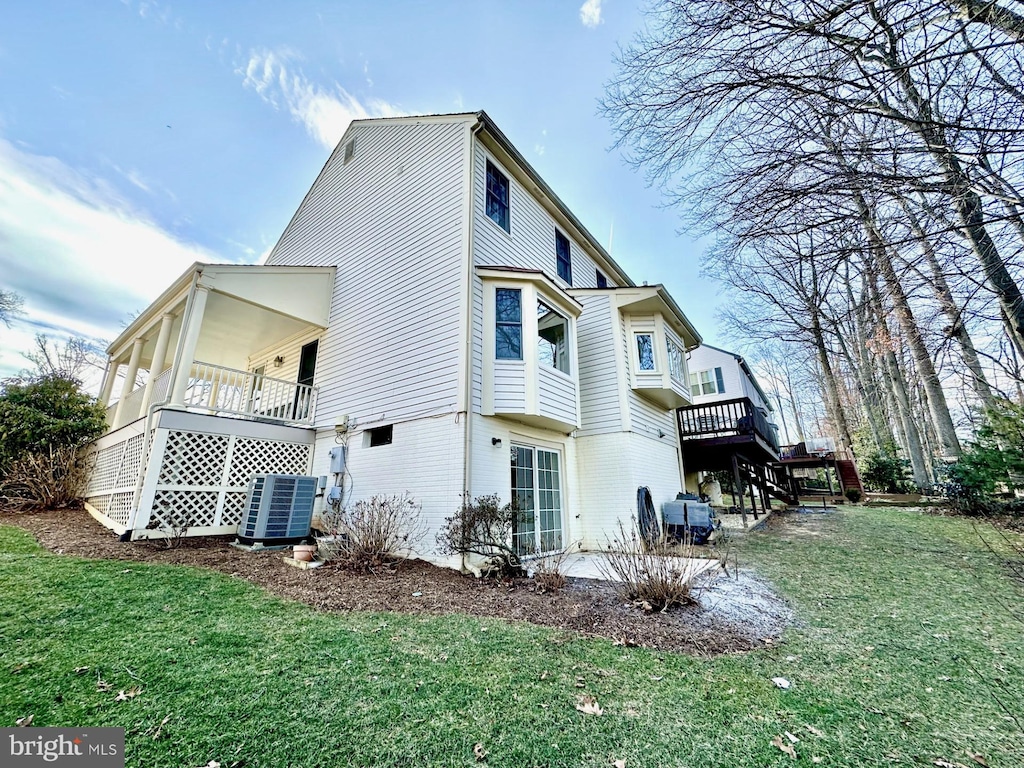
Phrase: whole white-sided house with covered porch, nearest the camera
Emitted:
{"points": [[433, 307]]}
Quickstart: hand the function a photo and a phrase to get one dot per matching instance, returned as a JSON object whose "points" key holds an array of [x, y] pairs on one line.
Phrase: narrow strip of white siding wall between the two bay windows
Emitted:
{"points": [[600, 386]]}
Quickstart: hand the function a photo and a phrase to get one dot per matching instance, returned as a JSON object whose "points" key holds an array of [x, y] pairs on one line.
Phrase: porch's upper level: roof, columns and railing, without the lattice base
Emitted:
{"points": [[225, 339]]}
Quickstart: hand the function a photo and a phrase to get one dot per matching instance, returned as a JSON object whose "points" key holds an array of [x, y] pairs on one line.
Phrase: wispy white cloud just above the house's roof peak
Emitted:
{"points": [[325, 113]]}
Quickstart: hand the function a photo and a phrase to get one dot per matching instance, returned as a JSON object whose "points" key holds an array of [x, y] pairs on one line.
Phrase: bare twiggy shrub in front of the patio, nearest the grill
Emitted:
{"points": [[658, 577]]}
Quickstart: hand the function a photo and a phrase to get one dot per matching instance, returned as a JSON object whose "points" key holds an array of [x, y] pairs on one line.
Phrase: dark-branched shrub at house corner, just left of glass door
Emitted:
{"points": [[484, 527]]}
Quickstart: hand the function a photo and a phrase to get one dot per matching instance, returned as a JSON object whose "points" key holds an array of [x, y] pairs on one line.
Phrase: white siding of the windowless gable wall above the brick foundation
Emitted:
{"points": [[392, 222]]}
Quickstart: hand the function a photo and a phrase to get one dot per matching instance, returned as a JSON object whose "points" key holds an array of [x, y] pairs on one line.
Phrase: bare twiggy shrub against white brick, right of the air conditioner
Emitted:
{"points": [[372, 533]]}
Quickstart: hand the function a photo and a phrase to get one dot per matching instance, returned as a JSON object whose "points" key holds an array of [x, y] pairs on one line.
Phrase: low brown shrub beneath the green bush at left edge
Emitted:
{"points": [[51, 479]]}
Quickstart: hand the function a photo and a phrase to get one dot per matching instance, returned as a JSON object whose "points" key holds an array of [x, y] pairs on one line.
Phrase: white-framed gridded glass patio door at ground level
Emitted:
{"points": [[537, 494]]}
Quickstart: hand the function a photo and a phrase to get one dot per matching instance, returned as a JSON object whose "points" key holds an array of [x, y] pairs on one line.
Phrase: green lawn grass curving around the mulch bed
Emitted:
{"points": [[906, 647]]}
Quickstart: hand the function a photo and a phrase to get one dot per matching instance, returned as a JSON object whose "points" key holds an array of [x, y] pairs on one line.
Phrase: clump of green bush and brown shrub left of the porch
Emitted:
{"points": [[45, 422]]}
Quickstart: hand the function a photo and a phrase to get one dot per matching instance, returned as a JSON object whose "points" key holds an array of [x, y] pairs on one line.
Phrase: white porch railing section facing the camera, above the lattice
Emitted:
{"points": [[226, 391]]}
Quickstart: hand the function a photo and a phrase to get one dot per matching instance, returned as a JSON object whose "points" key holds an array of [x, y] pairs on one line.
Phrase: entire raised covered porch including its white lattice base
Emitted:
{"points": [[217, 383]]}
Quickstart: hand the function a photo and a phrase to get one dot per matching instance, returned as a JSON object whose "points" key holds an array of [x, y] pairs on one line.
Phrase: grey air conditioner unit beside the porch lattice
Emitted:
{"points": [[279, 509]]}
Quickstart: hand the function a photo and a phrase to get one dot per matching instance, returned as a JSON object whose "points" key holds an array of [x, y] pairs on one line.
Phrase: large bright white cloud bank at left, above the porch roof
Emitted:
{"points": [[79, 253]]}
